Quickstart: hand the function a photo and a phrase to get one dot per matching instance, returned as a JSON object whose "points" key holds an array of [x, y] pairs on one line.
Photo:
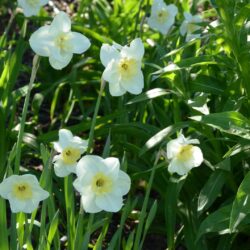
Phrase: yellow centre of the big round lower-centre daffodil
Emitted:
{"points": [[101, 184]]}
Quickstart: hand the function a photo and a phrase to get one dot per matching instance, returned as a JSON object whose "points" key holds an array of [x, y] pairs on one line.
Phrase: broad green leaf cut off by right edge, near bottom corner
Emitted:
{"points": [[241, 204]]}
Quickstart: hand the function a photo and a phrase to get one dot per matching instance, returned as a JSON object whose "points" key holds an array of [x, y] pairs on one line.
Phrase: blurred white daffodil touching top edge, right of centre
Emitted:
{"points": [[162, 16]]}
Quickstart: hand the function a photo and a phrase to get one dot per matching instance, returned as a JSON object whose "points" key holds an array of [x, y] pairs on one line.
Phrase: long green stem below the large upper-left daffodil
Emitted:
{"points": [[24, 114]]}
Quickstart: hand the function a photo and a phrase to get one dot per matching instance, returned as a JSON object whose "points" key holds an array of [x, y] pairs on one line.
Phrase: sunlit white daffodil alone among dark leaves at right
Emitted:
{"points": [[183, 156]]}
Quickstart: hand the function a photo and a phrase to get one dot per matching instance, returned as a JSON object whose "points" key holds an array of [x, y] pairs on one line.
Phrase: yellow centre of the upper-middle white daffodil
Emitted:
{"points": [[127, 67]]}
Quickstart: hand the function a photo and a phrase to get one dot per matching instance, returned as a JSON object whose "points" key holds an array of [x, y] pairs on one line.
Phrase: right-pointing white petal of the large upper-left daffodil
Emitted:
{"points": [[79, 42]]}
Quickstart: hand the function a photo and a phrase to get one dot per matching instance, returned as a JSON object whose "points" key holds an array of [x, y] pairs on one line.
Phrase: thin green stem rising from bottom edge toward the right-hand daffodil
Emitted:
{"points": [[142, 217]]}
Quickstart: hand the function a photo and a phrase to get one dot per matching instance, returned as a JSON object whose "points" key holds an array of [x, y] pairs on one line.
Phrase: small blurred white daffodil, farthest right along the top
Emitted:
{"points": [[189, 26]]}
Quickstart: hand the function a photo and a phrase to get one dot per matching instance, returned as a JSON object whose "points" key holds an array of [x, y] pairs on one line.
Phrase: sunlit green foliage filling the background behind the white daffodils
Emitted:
{"points": [[201, 87]]}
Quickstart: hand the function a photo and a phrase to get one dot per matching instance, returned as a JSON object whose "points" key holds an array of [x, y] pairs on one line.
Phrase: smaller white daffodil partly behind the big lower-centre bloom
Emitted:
{"points": [[70, 148]]}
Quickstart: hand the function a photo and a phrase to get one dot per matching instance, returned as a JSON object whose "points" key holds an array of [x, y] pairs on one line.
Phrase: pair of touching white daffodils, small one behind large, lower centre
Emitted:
{"points": [[100, 181]]}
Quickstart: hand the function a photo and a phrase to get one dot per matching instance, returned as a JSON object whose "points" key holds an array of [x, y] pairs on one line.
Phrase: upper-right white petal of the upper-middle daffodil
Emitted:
{"points": [[135, 50]]}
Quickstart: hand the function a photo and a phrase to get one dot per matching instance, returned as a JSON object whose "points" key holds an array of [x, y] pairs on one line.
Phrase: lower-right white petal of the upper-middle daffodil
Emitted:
{"points": [[133, 85]]}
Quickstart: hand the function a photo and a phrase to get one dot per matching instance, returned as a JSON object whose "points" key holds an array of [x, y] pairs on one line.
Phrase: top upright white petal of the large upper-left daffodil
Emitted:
{"points": [[61, 23]]}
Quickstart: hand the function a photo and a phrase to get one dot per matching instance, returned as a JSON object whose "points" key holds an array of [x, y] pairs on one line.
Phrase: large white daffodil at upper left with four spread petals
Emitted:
{"points": [[58, 42]]}
